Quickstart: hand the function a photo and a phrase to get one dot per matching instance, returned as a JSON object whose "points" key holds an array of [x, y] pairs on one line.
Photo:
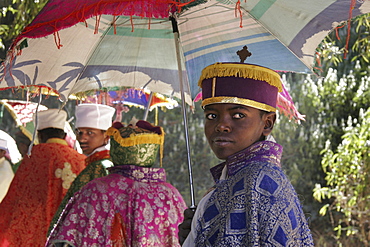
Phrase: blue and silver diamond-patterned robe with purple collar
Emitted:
{"points": [[255, 205]]}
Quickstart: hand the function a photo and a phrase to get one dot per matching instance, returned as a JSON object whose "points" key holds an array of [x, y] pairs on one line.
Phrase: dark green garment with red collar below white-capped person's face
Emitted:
{"points": [[97, 165]]}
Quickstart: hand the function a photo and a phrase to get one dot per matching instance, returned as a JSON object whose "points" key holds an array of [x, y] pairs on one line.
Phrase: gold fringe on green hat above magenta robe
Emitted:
{"points": [[136, 139]]}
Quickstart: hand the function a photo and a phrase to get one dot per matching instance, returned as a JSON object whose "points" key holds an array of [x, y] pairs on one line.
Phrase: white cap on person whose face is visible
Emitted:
{"points": [[94, 116]]}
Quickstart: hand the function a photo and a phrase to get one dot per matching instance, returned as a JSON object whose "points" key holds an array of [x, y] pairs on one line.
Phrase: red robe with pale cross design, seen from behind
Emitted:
{"points": [[36, 191]]}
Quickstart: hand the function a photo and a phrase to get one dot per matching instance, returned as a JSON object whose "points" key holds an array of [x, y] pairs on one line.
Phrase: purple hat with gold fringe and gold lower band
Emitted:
{"points": [[240, 83]]}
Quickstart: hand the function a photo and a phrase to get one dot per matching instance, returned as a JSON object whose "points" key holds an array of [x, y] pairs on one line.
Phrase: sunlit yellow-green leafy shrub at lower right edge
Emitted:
{"points": [[347, 174]]}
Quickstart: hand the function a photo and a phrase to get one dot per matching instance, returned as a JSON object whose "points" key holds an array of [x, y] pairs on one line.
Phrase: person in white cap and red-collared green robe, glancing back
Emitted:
{"points": [[92, 121]]}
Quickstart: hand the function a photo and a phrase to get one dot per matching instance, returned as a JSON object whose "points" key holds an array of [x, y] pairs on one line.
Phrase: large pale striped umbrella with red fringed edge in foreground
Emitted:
{"points": [[140, 52]]}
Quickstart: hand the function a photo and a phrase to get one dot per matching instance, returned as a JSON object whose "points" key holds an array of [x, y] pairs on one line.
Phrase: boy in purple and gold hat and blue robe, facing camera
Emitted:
{"points": [[253, 203]]}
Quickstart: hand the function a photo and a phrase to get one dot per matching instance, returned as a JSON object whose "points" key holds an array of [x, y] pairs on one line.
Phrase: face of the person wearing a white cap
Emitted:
{"points": [[90, 139]]}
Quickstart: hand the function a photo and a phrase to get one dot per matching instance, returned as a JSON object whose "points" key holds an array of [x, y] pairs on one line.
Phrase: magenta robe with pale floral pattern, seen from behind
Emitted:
{"points": [[132, 203]]}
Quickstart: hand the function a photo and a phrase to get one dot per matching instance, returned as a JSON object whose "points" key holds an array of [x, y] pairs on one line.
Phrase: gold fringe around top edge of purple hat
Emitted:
{"points": [[241, 70]]}
